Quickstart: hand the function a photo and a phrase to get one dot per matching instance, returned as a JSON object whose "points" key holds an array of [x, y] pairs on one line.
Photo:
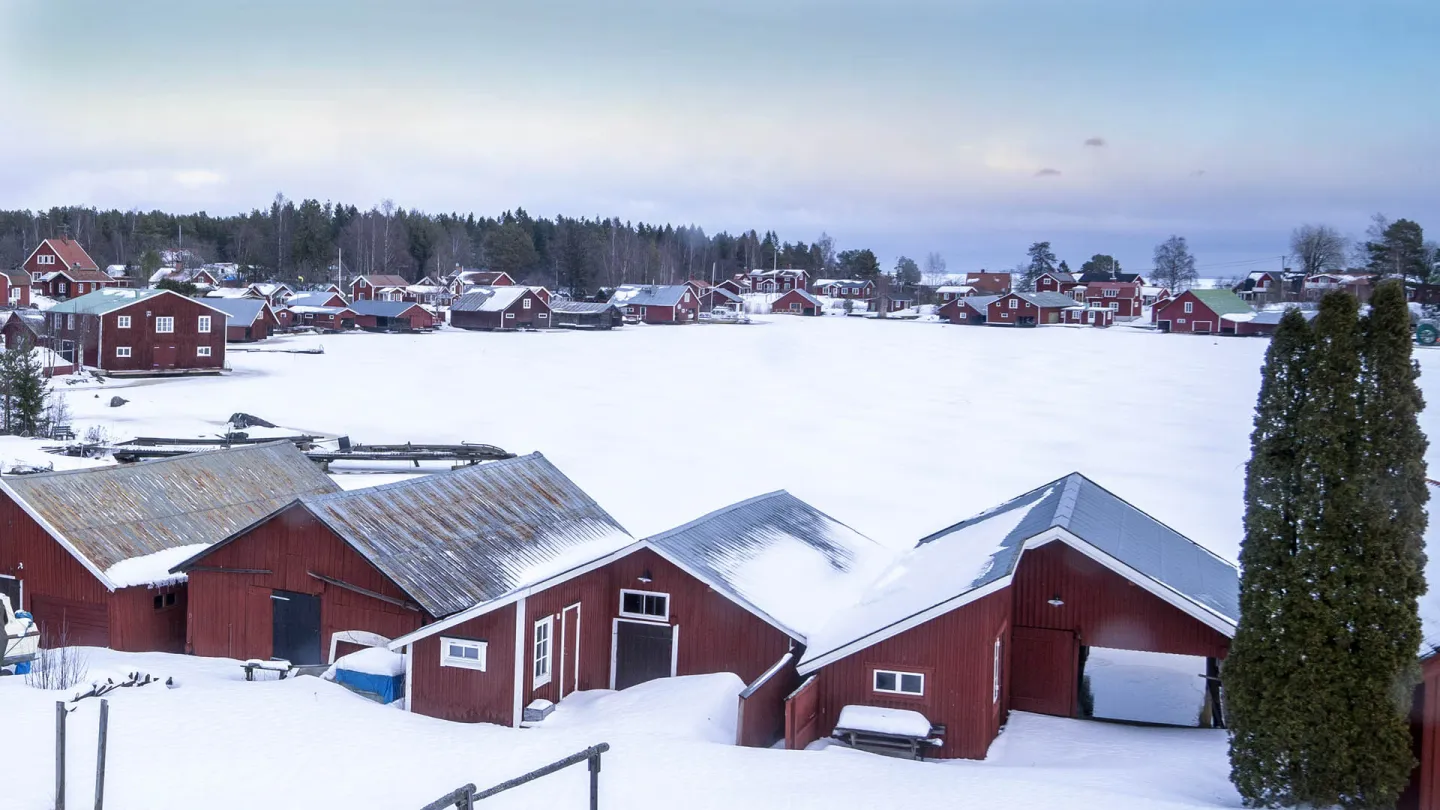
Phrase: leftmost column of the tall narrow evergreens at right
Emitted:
{"points": [[1262, 714]]}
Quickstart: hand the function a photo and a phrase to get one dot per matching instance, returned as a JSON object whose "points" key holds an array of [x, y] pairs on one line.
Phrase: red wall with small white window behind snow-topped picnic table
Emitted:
{"points": [[957, 655]]}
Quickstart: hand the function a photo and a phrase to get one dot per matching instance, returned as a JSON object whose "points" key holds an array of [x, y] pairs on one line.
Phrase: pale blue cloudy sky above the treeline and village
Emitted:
{"points": [[967, 128]]}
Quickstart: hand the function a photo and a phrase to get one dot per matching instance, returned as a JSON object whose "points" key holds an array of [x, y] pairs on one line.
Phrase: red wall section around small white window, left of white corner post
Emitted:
{"points": [[464, 694]]}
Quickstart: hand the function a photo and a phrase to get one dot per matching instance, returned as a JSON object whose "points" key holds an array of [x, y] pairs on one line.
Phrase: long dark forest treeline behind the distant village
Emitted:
{"points": [[305, 241]]}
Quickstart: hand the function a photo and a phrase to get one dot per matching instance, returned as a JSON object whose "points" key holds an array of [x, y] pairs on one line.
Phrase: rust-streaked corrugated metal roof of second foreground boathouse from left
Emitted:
{"points": [[457, 540]]}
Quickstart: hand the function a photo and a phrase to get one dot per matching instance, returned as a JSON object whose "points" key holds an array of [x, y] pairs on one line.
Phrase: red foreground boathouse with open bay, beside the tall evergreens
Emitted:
{"points": [[1066, 567]]}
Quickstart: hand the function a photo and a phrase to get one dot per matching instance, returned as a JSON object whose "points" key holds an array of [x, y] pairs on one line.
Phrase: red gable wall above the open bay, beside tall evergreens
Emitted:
{"points": [[1104, 607]]}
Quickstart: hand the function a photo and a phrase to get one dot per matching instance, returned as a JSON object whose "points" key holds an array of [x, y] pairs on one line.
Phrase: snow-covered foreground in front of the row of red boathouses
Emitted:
{"points": [[221, 743]]}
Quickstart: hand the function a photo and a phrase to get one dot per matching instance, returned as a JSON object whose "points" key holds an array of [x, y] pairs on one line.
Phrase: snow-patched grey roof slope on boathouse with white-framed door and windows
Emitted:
{"points": [[778, 556]]}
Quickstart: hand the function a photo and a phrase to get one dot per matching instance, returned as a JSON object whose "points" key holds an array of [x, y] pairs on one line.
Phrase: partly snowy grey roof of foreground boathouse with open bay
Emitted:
{"points": [[957, 566]]}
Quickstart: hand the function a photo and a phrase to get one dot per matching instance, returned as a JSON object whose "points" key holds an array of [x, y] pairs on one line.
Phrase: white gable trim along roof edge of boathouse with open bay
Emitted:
{"points": [[1177, 600]]}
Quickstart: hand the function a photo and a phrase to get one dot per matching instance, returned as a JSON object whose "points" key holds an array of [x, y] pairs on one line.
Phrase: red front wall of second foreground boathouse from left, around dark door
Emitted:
{"points": [[231, 615]]}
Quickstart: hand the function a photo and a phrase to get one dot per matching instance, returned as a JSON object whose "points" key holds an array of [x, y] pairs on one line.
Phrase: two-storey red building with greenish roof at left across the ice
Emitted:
{"points": [[139, 332]]}
